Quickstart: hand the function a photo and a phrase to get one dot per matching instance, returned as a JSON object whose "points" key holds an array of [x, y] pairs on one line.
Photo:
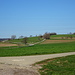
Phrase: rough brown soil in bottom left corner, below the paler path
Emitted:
{"points": [[16, 70]]}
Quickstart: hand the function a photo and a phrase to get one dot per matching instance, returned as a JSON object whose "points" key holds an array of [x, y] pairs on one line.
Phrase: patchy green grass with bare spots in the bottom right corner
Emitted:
{"points": [[59, 66]]}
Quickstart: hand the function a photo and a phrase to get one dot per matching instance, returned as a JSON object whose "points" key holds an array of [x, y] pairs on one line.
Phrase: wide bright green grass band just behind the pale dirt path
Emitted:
{"points": [[37, 49]]}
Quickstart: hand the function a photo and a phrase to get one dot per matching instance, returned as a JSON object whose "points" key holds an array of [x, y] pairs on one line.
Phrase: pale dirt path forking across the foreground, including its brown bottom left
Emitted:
{"points": [[22, 65]]}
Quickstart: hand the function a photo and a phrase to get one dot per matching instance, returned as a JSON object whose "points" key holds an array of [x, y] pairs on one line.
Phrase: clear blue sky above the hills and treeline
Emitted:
{"points": [[35, 17]]}
